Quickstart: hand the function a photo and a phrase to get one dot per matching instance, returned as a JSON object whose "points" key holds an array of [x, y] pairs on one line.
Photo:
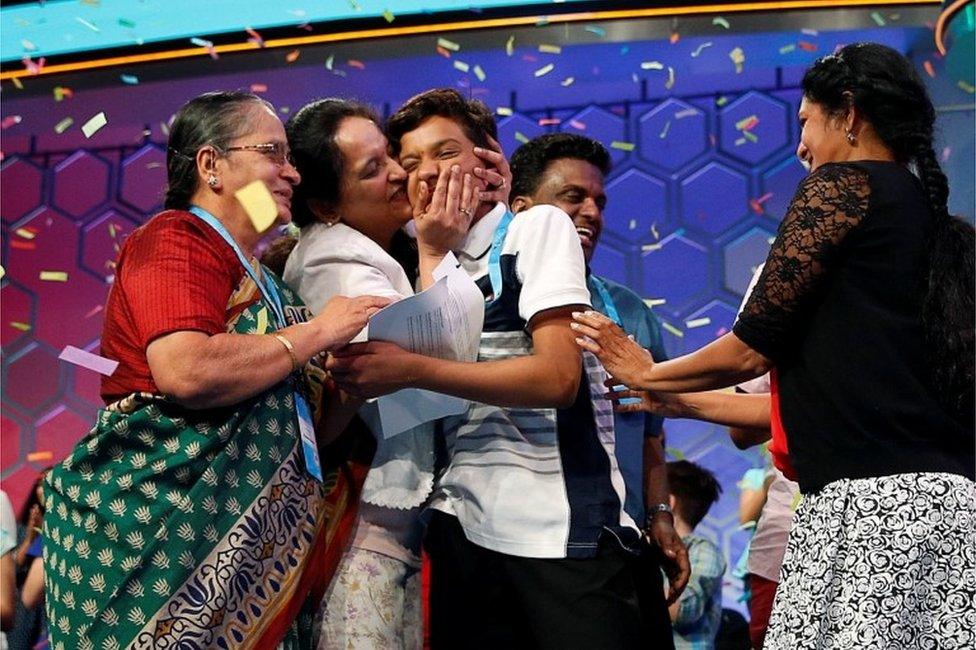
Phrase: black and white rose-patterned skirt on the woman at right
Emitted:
{"points": [[886, 562]]}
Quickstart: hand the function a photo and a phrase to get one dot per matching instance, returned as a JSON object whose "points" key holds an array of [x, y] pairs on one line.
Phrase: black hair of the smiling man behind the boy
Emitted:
{"points": [[529, 162]]}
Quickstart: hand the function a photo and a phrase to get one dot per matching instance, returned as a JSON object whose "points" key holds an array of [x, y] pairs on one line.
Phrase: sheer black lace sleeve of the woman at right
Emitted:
{"points": [[827, 205]]}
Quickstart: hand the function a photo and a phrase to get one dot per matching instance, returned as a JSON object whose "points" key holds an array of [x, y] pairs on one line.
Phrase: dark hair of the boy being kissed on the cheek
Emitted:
{"points": [[472, 115]]}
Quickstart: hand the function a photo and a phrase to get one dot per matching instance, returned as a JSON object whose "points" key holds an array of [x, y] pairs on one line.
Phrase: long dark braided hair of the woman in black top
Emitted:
{"points": [[884, 87]]}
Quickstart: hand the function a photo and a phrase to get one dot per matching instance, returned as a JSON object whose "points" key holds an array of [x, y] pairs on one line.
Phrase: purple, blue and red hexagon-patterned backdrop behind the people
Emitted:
{"points": [[704, 169]]}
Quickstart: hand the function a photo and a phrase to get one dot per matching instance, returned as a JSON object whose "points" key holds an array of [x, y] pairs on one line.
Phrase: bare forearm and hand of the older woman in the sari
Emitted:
{"points": [[201, 371]]}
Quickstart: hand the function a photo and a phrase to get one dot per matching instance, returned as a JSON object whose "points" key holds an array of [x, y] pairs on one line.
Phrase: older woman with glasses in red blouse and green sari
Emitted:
{"points": [[186, 517]]}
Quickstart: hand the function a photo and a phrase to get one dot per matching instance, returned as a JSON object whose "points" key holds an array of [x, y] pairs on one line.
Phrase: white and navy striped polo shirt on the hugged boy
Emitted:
{"points": [[541, 483]]}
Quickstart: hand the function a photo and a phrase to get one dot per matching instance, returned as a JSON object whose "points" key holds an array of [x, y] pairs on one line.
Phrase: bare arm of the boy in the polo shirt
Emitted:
{"points": [[549, 377]]}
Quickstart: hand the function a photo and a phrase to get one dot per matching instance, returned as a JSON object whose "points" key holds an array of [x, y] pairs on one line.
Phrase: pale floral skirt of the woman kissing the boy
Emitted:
{"points": [[373, 602]]}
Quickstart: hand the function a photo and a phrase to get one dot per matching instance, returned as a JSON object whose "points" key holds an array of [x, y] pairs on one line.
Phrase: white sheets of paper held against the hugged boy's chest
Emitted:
{"points": [[444, 321]]}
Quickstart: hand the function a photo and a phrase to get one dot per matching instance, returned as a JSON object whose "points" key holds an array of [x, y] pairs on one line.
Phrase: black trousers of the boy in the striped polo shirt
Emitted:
{"points": [[484, 599]]}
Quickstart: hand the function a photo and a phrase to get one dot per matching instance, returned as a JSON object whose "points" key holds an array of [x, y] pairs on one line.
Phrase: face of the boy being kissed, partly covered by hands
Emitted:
{"points": [[434, 146]]}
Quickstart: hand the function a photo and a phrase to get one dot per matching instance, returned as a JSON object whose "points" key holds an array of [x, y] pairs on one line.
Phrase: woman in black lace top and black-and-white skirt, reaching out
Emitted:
{"points": [[864, 316]]}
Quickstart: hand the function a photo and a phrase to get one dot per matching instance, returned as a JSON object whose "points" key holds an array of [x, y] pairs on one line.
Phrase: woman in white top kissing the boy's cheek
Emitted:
{"points": [[352, 207]]}
